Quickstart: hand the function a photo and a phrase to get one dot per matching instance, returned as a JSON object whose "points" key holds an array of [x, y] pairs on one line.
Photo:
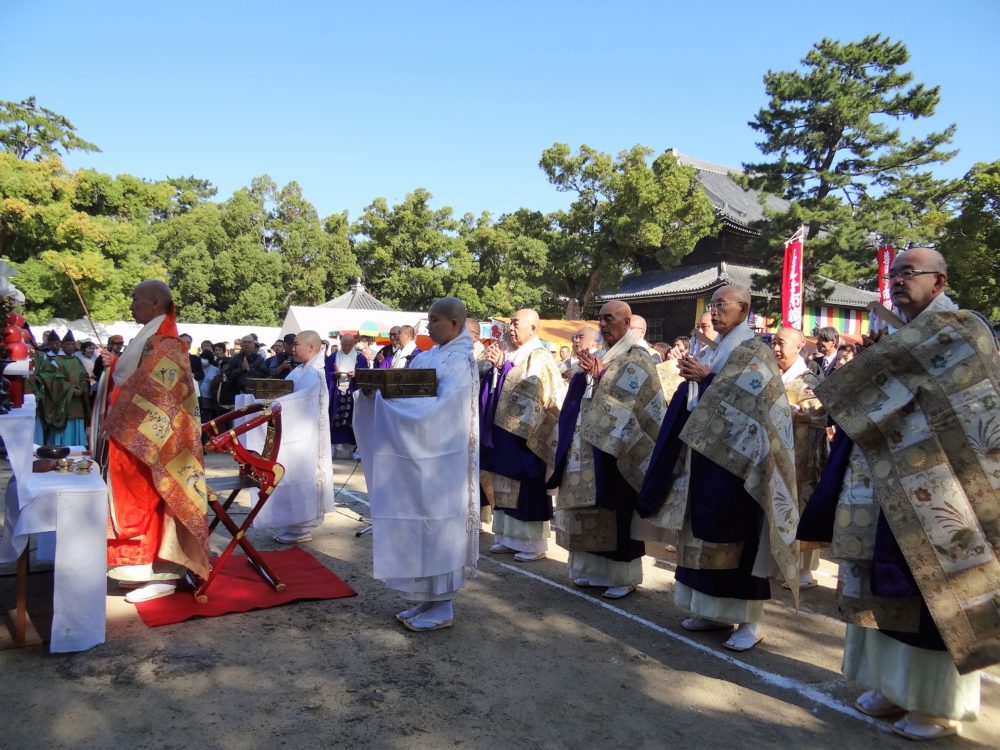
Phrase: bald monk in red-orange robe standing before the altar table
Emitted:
{"points": [[156, 474]]}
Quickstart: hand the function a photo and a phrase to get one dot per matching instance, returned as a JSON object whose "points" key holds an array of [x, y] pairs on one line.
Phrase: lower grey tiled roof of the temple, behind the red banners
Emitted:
{"points": [[698, 280]]}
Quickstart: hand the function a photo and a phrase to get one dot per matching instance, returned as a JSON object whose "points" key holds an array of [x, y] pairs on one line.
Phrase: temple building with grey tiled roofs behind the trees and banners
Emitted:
{"points": [[672, 299]]}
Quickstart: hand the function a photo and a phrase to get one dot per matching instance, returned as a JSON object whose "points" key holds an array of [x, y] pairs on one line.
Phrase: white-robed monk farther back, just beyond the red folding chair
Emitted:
{"points": [[305, 493]]}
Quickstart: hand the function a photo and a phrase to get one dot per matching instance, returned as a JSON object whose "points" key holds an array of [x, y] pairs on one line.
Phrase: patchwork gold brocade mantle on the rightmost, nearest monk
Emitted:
{"points": [[923, 407]]}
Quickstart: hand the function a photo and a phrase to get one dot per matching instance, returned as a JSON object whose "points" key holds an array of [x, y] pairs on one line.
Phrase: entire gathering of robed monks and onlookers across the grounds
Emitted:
{"points": [[741, 454]]}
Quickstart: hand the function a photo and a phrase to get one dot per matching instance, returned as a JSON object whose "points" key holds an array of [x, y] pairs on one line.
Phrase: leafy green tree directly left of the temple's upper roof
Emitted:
{"points": [[627, 212]]}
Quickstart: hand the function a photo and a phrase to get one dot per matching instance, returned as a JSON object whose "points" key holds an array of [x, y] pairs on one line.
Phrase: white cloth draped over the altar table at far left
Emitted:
{"points": [[75, 507]]}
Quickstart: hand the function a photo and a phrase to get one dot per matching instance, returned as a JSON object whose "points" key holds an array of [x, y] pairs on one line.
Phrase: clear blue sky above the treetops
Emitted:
{"points": [[360, 100]]}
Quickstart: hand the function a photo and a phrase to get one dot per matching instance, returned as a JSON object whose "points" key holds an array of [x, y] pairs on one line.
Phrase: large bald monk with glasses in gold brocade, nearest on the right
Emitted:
{"points": [[909, 501]]}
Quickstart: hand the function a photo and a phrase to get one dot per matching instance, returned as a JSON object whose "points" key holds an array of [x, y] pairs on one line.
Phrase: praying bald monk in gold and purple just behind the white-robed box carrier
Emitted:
{"points": [[519, 399]]}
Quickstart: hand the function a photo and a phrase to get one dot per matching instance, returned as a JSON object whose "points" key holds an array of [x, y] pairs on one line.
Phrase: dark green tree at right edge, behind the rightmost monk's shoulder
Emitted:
{"points": [[972, 242]]}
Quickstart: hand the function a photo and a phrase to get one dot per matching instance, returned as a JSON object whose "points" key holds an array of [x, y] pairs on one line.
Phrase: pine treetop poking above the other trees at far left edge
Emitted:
{"points": [[33, 128]]}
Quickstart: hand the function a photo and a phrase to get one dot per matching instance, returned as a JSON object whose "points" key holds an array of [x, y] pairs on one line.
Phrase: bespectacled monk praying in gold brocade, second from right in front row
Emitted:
{"points": [[722, 479]]}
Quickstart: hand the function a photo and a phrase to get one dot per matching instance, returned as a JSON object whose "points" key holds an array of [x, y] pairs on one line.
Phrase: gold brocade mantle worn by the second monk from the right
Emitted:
{"points": [[743, 424]]}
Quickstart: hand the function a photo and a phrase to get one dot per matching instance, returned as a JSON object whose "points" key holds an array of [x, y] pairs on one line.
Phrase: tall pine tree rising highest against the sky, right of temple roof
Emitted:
{"points": [[837, 154]]}
